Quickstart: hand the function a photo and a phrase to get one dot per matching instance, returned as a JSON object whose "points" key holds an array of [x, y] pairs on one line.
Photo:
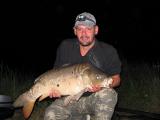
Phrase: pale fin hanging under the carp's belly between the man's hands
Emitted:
{"points": [[72, 98]]}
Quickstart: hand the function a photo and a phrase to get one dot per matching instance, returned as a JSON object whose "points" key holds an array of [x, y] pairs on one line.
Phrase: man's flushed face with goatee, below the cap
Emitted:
{"points": [[85, 34]]}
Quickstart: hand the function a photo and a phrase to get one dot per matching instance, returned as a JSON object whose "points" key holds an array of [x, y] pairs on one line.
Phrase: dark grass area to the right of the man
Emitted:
{"points": [[140, 87]]}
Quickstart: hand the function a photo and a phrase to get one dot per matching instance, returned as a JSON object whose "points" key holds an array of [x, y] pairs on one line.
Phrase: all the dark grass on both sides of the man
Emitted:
{"points": [[139, 89]]}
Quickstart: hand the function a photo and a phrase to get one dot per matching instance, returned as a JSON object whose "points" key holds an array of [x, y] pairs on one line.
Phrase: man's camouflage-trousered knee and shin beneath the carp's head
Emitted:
{"points": [[106, 100]]}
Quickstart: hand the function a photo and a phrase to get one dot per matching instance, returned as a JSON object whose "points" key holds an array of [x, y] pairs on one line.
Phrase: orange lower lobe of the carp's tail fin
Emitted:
{"points": [[27, 109]]}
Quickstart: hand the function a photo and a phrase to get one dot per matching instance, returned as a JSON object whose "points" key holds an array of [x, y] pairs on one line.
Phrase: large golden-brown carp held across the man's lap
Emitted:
{"points": [[71, 81]]}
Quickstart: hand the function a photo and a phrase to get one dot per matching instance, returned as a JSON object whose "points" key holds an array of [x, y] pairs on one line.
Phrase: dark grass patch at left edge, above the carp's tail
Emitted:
{"points": [[13, 82]]}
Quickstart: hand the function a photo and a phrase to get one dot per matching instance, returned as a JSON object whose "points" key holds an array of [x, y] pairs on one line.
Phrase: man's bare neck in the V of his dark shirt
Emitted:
{"points": [[84, 49]]}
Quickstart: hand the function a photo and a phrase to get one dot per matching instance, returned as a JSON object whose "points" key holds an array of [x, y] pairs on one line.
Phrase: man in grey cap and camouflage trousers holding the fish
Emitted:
{"points": [[99, 104]]}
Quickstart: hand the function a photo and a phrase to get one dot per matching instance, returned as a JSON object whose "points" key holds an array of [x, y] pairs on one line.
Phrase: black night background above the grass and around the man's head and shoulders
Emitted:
{"points": [[32, 30]]}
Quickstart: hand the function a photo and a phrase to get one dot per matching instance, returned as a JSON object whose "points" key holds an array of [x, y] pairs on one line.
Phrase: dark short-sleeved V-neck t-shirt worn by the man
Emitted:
{"points": [[101, 55]]}
